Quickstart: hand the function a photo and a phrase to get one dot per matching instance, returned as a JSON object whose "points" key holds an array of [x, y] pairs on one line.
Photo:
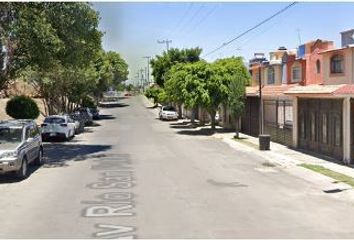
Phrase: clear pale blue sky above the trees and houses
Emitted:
{"points": [[133, 29]]}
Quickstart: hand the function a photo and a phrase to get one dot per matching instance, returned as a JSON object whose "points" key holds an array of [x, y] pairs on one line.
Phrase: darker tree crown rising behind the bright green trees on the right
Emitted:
{"points": [[162, 64]]}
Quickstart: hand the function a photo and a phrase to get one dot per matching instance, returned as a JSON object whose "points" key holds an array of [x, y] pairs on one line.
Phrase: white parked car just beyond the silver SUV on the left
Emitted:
{"points": [[58, 126]]}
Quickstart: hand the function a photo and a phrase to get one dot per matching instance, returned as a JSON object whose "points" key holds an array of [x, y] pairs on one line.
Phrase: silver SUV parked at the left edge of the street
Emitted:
{"points": [[20, 145]]}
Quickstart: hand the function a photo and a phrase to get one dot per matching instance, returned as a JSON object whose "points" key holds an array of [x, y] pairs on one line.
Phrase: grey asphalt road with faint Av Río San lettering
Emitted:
{"points": [[135, 176]]}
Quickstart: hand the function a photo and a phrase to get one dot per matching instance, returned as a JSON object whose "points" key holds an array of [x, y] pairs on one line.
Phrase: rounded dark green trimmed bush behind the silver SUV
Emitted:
{"points": [[22, 107]]}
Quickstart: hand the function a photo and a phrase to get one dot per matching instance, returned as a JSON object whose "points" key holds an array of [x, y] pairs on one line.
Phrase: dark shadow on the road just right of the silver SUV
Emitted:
{"points": [[57, 154]]}
